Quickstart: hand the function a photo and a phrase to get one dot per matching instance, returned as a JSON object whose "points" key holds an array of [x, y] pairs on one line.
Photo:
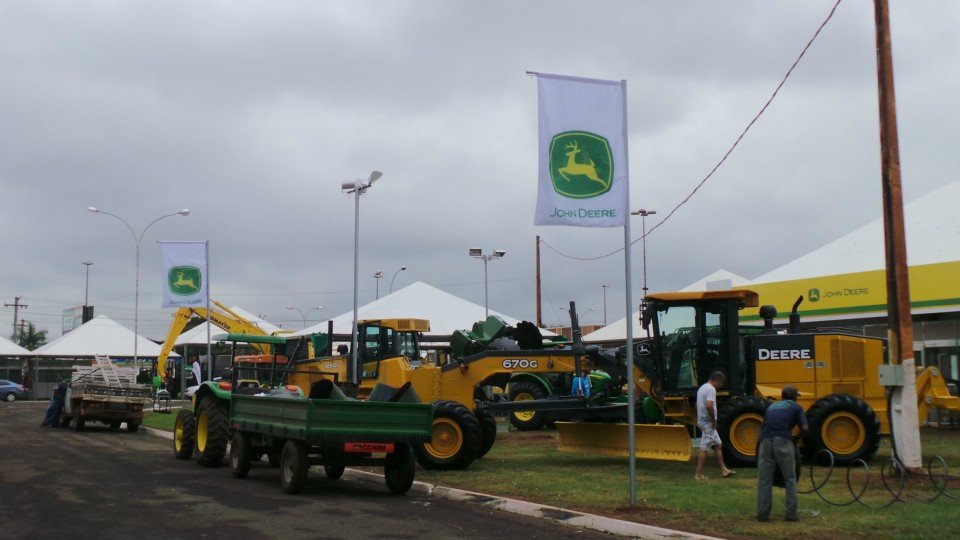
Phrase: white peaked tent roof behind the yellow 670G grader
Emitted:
{"points": [[446, 312]]}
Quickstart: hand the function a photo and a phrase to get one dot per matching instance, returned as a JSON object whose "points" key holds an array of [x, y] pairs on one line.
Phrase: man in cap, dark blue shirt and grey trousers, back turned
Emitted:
{"points": [[776, 449]]}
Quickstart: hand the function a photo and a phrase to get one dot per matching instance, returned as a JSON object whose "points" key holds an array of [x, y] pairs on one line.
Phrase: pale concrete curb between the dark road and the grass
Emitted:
{"points": [[541, 511]]}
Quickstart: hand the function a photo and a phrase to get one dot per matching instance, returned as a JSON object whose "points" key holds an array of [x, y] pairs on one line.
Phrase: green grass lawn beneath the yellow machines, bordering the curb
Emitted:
{"points": [[528, 466]]}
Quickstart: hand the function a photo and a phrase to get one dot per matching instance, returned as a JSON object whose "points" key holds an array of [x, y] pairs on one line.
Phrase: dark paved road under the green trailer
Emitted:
{"points": [[63, 484]]}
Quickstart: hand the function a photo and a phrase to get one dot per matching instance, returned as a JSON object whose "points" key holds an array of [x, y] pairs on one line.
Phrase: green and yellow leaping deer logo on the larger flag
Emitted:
{"points": [[581, 164]]}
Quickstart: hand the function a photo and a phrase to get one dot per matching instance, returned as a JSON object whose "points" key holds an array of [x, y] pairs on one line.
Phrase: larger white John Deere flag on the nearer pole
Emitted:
{"points": [[584, 181]]}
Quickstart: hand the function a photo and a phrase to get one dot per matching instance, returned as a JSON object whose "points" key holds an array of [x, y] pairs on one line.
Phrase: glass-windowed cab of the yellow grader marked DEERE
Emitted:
{"points": [[691, 336]]}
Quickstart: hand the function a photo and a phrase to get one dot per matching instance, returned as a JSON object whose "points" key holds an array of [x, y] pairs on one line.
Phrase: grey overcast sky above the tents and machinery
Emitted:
{"points": [[252, 113]]}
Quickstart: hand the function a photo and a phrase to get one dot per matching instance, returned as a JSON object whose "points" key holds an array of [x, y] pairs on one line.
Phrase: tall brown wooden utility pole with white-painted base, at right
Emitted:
{"points": [[905, 422]]}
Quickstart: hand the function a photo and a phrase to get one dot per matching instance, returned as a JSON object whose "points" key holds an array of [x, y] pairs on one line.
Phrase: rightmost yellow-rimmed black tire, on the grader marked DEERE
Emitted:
{"points": [[846, 426]]}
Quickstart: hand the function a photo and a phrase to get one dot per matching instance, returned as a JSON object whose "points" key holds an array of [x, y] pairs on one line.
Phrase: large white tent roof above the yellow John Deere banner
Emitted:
{"points": [[932, 228]]}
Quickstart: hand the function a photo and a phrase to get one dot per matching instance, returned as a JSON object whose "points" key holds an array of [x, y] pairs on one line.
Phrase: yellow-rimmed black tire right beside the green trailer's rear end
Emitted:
{"points": [[456, 438]]}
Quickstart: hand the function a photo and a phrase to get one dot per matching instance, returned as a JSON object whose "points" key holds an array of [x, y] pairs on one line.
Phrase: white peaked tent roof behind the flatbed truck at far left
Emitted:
{"points": [[99, 336]]}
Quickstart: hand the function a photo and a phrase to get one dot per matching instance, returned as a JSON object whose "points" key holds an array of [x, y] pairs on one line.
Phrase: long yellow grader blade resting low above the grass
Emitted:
{"points": [[652, 441]]}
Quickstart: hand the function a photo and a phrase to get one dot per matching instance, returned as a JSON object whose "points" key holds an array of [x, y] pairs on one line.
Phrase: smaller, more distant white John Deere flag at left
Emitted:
{"points": [[184, 273]]}
